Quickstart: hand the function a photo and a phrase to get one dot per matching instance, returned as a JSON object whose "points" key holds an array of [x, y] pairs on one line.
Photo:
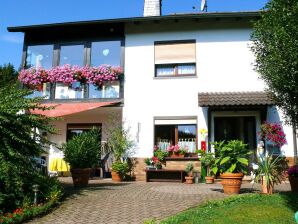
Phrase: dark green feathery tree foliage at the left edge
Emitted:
{"points": [[19, 144]]}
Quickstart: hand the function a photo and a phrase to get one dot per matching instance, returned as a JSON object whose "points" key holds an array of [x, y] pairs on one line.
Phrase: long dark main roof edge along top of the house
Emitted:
{"points": [[202, 15]]}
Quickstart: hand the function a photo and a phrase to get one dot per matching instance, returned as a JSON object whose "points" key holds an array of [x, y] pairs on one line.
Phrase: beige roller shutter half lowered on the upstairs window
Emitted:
{"points": [[171, 53]]}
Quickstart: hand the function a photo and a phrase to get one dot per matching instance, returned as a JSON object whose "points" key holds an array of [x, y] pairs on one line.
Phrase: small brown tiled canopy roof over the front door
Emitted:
{"points": [[234, 99]]}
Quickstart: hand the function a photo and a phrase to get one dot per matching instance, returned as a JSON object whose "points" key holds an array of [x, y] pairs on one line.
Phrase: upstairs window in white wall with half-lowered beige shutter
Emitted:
{"points": [[175, 58]]}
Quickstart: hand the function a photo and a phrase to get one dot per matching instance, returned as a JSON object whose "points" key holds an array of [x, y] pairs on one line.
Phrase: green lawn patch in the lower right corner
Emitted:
{"points": [[247, 208]]}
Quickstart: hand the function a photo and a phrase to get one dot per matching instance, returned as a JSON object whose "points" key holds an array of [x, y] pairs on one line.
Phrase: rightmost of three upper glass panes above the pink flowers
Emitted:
{"points": [[105, 52]]}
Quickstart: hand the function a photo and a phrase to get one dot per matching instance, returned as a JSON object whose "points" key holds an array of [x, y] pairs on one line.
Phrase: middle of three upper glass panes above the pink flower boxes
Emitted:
{"points": [[72, 54]]}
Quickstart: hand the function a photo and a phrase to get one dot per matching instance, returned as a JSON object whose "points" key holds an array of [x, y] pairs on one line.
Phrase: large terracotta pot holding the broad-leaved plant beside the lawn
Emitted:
{"points": [[231, 182]]}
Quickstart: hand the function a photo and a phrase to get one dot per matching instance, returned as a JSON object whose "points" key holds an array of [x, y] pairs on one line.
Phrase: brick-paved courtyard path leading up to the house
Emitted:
{"points": [[132, 202]]}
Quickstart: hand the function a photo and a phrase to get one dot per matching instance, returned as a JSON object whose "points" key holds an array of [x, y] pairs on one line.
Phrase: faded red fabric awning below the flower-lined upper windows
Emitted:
{"points": [[64, 109]]}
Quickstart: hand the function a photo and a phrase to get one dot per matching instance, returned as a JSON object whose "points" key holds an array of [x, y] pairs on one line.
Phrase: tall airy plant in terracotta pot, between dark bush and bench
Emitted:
{"points": [[120, 145]]}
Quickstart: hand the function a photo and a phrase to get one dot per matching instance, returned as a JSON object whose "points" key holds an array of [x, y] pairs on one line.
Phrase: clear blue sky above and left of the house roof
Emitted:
{"points": [[29, 12]]}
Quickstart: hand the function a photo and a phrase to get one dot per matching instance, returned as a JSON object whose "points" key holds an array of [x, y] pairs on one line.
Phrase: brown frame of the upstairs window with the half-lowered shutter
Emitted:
{"points": [[175, 65]]}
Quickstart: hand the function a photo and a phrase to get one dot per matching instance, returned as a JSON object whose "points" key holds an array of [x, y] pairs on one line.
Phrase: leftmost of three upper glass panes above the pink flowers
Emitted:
{"points": [[39, 56]]}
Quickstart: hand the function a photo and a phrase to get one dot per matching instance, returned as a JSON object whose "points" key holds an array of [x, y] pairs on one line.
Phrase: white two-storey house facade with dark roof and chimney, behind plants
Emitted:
{"points": [[182, 73]]}
